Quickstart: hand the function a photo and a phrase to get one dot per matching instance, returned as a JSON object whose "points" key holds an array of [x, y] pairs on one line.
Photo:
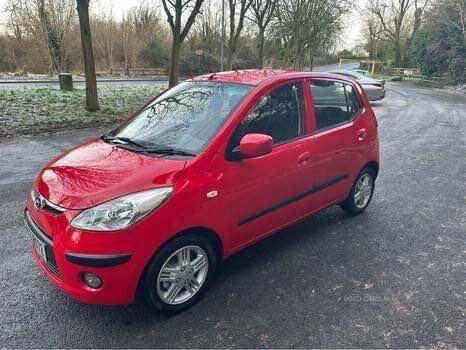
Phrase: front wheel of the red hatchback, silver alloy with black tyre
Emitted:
{"points": [[164, 276]]}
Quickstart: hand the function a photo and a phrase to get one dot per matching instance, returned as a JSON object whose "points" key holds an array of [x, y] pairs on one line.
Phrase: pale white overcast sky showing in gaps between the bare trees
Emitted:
{"points": [[118, 7]]}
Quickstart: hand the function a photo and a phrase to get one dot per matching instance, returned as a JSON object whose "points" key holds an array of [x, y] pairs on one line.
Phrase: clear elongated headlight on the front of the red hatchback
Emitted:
{"points": [[121, 212]]}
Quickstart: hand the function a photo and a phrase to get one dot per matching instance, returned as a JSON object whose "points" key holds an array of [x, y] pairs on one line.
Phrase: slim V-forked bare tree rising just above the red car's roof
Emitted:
{"points": [[236, 26]]}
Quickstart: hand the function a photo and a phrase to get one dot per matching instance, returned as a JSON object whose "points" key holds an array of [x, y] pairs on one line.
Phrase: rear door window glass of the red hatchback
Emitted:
{"points": [[335, 103]]}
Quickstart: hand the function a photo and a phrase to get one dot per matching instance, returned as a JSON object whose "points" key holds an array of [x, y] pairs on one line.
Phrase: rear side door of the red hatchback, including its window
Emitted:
{"points": [[337, 131]]}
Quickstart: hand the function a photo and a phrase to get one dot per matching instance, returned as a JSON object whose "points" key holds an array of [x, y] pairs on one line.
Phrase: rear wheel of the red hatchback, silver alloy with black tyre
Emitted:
{"points": [[361, 193]]}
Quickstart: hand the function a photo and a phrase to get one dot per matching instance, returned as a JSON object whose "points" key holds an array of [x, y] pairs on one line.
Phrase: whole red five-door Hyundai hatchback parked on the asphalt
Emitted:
{"points": [[199, 173]]}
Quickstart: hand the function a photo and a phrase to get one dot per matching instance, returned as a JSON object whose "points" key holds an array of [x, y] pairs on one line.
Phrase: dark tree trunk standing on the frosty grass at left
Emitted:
{"points": [[92, 101]]}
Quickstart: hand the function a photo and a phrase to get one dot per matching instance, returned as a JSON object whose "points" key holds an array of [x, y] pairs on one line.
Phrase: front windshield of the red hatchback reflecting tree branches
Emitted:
{"points": [[184, 118]]}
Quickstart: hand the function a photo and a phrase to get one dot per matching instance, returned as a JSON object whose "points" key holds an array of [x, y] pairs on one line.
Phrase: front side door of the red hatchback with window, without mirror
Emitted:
{"points": [[261, 190]]}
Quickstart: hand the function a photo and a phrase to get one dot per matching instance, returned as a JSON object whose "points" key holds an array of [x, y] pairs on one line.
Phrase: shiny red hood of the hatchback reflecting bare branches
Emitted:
{"points": [[96, 172]]}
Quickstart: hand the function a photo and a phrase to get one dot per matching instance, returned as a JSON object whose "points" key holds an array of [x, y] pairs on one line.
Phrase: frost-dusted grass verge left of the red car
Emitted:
{"points": [[34, 110]]}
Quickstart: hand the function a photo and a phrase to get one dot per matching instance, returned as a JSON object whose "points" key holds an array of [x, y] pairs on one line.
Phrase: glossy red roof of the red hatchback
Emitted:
{"points": [[258, 76]]}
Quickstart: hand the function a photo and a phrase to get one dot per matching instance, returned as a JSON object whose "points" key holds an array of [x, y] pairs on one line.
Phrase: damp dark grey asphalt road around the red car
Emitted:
{"points": [[392, 277]]}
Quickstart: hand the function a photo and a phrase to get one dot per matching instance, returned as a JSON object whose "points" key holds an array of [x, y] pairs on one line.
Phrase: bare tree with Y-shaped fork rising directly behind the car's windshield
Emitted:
{"points": [[175, 10]]}
